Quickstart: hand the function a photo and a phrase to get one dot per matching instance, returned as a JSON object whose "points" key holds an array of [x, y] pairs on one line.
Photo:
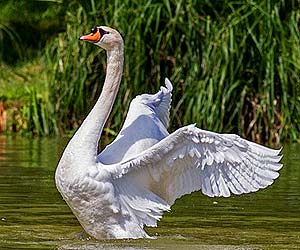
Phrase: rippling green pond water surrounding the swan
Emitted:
{"points": [[34, 216]]}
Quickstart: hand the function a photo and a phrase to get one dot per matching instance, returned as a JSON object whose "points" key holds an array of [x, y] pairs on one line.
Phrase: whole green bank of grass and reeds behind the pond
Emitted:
{"points": [[235, 65]]}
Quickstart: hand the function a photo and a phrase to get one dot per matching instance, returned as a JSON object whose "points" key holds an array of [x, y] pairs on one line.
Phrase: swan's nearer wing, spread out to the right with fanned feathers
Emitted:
{"points": [[191, 159]]}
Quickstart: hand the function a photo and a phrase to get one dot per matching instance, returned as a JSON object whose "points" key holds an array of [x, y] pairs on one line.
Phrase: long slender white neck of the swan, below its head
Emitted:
{"points": [[85, 141]]}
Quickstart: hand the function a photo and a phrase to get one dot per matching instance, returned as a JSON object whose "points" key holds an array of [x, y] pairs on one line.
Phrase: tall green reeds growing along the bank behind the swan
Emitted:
{"points": [[234, 64]]}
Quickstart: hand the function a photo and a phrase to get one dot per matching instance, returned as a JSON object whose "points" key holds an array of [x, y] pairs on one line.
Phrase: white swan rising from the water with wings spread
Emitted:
{"points": [[140, 175]]}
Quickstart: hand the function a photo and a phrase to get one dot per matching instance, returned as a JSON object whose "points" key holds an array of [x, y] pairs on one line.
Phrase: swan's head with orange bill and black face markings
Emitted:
{"points": [[105, 37]]}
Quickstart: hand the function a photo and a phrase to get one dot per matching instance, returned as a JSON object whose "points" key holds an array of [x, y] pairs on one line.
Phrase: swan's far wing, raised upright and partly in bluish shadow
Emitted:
{"points": [[145, 125]]}
